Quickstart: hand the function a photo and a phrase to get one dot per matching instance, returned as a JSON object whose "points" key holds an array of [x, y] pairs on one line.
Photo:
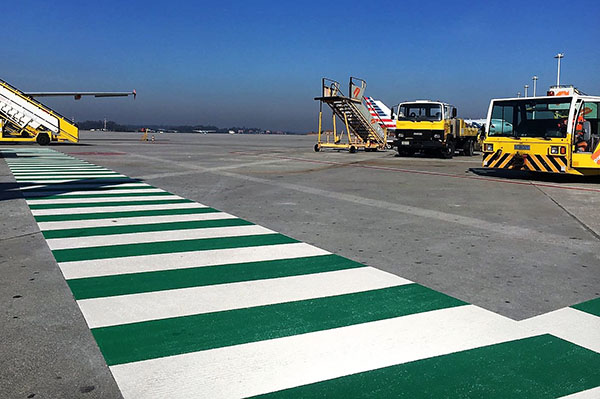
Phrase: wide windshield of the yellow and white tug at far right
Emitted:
{"points": [[545, 118]]}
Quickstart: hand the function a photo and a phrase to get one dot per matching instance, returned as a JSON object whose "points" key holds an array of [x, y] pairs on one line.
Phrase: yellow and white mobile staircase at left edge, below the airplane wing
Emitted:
{"points": [[24, 119]]}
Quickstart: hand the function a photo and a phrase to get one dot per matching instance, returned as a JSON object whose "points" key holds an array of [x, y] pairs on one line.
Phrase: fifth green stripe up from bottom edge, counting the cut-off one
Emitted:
{"points": [[139, 228]]}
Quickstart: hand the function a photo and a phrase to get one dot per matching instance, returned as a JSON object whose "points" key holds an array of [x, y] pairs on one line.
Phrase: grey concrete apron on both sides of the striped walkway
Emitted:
{"points": [[517, 244]]}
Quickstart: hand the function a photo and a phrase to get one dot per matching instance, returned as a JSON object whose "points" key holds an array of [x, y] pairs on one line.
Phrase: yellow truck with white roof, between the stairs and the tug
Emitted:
{"points": [[432, 126]]}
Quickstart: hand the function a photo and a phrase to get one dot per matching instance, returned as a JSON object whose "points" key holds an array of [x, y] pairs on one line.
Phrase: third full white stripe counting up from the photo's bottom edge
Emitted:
{"points": [[185, 260]]}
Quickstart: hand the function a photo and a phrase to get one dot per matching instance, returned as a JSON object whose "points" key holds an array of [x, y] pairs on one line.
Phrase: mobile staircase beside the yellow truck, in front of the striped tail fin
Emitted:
{"points": [[362, 129]]}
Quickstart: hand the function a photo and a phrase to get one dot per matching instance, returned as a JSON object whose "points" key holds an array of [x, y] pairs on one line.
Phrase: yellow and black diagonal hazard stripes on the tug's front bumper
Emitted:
{"points": [[532, 162]]}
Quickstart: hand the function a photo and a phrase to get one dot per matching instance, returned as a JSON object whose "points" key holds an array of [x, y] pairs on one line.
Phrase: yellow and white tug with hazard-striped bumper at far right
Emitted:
{"points": [[556, 133]]}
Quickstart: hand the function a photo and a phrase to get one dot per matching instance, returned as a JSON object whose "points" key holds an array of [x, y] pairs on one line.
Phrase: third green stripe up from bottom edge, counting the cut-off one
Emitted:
{"points": [[96, 287]]}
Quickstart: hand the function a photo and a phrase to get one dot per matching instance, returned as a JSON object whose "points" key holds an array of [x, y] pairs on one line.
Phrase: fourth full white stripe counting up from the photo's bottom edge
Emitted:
{"points": [[157, 236]]}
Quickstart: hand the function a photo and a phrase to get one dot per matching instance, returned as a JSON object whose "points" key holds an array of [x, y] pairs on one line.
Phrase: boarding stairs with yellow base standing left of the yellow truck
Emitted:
{"points": [[352, 111]]}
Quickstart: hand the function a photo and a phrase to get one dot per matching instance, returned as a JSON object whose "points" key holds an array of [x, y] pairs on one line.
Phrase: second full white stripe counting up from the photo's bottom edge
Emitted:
{"points": [[124, 309]]}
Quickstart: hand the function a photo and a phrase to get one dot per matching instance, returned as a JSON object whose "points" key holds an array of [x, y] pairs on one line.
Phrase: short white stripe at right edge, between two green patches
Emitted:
{"points": [[570, 324]]}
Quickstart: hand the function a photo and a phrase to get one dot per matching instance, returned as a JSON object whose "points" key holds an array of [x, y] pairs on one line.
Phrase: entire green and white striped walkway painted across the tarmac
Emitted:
{"points": [[187, 301]]}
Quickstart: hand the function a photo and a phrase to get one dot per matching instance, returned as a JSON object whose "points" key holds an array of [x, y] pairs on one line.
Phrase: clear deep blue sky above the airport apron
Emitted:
{"points": [[259, 63]]}
